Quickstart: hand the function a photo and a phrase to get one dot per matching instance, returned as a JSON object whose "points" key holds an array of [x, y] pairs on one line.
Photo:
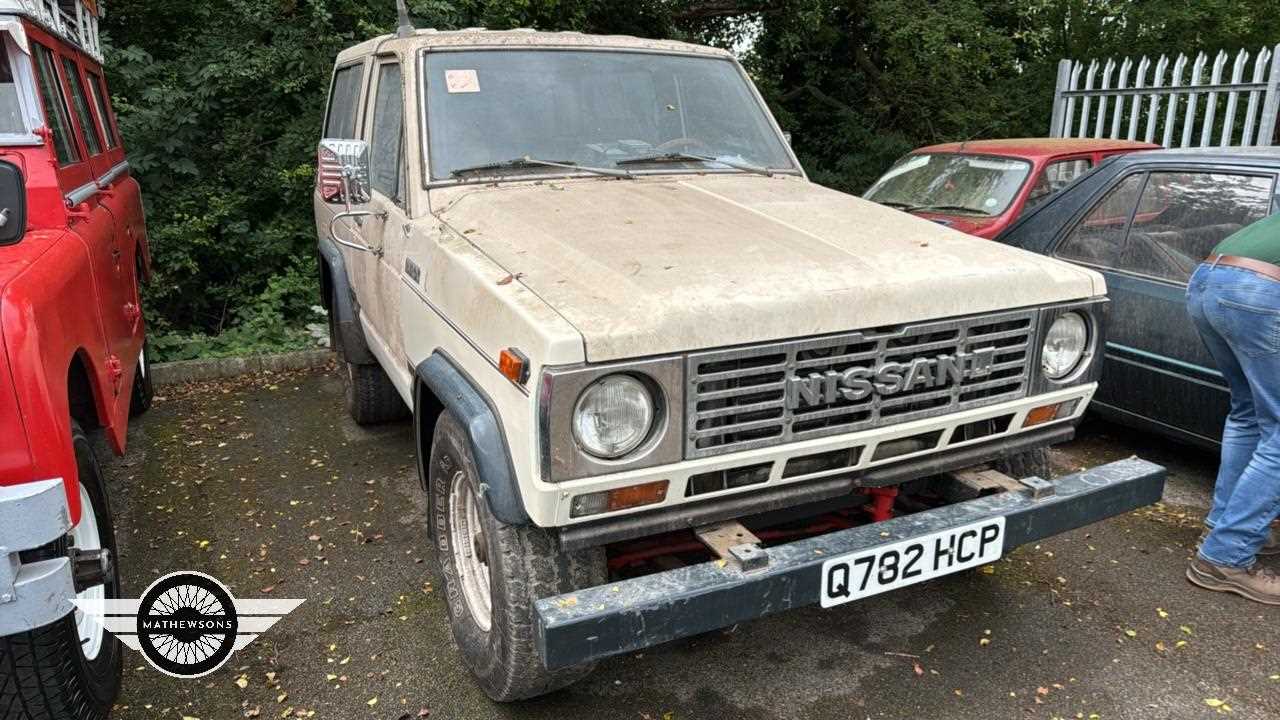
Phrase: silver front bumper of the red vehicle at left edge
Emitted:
{"points": [[34, 594]]}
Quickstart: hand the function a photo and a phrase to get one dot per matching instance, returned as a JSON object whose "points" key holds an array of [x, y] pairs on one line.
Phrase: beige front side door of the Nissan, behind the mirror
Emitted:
{"points": [[385, 231]]}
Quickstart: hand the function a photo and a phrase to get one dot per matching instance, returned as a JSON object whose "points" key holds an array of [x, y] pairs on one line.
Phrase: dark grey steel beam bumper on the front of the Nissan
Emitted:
{"points": [[630, 616]]}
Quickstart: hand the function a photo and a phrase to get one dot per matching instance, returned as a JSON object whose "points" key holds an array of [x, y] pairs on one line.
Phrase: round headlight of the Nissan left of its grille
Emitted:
{"points": [[614, 417]]}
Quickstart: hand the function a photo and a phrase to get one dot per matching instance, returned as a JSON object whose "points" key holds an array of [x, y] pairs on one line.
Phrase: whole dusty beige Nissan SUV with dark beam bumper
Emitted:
{"points": [[661, 382]]}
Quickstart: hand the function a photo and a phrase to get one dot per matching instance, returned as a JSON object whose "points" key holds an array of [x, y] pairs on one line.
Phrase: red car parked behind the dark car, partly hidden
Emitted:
{"points": [[982, 186]]}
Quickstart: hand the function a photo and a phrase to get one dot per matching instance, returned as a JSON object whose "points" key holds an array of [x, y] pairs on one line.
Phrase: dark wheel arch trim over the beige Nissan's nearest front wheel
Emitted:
{"points": [[460, 395]]}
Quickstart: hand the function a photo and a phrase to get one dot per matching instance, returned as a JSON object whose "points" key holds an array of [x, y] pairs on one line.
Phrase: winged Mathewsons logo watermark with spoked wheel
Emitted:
{"points": [[188, 625]]}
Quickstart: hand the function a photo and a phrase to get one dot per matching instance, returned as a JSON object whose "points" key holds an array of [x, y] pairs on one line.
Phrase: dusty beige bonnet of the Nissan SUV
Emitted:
{"points": [[682, 263]]}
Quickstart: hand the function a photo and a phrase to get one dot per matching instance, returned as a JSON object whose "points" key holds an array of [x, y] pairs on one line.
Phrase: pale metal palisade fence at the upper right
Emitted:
{"points": [[1220, 103]]}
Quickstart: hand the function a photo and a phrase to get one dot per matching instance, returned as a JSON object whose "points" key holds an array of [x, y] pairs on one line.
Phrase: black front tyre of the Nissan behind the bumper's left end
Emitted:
{"points": [[523, 566]]}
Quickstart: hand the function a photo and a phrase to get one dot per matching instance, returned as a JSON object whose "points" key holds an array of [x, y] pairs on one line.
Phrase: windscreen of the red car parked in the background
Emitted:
{"points": [[977, 185]]}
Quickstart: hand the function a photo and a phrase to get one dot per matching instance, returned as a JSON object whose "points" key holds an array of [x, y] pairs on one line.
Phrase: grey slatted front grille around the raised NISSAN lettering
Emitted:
{"points": [[738, 398]]}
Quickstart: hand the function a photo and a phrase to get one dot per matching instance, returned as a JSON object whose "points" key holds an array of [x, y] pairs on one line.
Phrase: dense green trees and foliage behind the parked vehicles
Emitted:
{"points": [[222, 103]]}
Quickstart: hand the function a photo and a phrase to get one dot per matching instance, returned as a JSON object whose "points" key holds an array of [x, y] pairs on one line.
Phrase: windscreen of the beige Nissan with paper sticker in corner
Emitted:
{"points": [[592, 108]]}
